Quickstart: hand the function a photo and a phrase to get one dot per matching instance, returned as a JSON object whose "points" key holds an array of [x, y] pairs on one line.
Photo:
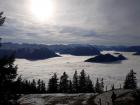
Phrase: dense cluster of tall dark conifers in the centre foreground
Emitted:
{"points": [[79, 84]]}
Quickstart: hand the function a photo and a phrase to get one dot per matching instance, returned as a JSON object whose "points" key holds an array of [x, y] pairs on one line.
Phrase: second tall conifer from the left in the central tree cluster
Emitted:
{"points": [[64, 84]]}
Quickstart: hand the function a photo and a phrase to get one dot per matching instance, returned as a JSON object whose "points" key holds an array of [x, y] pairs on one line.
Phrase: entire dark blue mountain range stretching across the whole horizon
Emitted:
{"points": [[40, 51]]}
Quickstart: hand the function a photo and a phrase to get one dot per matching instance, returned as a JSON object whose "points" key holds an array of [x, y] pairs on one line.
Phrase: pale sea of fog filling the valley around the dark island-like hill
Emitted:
{"points": [[112, 73]]}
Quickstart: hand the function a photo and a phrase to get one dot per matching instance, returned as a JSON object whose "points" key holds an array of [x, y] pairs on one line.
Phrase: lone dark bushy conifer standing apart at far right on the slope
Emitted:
{"points": [[130, 81]]}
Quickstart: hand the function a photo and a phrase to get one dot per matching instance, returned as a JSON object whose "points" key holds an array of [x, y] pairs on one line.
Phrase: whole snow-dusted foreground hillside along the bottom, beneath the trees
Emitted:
{"points": [[124, 97]]}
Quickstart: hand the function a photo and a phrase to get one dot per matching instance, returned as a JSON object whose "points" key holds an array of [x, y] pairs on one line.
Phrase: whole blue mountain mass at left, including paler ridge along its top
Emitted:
{"points": [[27, 51]]}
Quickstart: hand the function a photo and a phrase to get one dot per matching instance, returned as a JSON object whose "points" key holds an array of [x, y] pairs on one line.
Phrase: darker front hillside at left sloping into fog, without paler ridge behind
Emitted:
{"points": [[30, 54]]}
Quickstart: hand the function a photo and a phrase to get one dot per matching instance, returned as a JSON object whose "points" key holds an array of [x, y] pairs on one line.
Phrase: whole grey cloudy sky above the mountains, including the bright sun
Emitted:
{"points": [[99, 22]]}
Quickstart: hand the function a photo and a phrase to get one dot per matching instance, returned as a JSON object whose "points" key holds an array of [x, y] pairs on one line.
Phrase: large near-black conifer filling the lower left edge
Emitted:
{"points": [[8, 73]]}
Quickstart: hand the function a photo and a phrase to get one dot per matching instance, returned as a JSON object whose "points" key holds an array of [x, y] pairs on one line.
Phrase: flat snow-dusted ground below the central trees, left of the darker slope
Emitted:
{"points": [[55, 99]]}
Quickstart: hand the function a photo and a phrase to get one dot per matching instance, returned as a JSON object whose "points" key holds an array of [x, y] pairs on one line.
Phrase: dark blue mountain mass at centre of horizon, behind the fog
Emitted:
{"points": [[75, 49]]}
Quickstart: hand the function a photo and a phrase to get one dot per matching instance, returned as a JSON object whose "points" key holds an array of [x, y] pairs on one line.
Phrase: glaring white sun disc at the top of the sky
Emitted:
{"points": [[42, 9]]}
